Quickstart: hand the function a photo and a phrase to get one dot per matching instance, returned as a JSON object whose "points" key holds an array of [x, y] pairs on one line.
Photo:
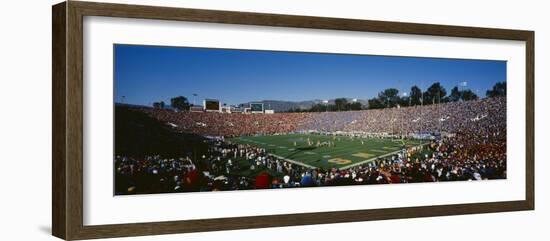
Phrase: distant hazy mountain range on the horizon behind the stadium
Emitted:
{"points": [[281, 106]]}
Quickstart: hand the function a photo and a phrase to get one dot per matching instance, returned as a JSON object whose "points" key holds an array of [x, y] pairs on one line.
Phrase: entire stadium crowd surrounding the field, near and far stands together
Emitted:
{"points": [[470, 145]]}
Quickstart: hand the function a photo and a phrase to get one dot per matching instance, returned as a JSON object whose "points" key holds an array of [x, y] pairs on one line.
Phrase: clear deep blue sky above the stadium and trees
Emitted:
{"points": [[145, 74]]}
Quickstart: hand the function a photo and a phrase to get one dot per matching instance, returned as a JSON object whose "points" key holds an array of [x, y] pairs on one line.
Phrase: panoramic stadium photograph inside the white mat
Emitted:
{"points": [[191, 119]]}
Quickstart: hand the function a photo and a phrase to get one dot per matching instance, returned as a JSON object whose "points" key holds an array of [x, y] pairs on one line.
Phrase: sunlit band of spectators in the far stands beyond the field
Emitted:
{"points": [[446, 117]]}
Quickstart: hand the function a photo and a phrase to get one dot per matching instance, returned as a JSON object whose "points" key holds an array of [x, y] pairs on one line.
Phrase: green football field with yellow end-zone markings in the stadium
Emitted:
{"points": [[338, 151]]}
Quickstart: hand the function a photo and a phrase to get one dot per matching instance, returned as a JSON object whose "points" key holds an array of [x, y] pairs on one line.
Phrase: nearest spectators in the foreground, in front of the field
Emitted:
{"points": [[440, 161]]}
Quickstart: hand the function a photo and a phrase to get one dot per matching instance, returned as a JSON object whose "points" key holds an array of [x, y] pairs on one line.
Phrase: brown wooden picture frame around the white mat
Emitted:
{"points": [[67, 76]]}
